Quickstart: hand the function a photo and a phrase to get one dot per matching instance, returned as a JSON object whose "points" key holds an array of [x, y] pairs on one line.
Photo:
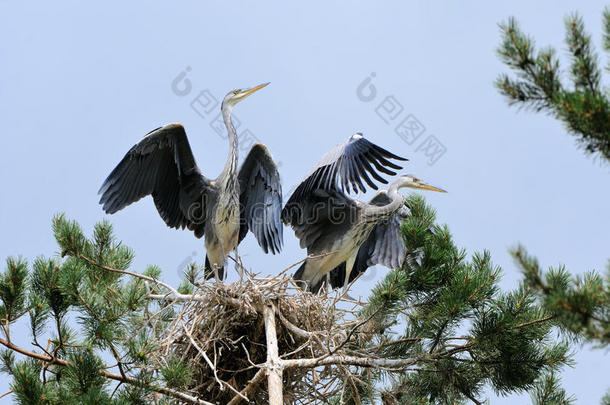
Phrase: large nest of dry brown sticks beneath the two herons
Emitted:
{"points": [[221, 334]]}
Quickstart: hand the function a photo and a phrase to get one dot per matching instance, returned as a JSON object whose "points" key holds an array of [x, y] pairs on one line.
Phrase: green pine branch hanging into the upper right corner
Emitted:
{"points": [[584, 107]]}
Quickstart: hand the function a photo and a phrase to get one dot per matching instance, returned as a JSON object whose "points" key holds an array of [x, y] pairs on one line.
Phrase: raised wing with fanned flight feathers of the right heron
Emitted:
{"points": [[344, 169]]}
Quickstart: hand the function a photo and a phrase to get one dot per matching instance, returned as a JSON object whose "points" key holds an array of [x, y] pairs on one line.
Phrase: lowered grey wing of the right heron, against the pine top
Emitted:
{"points": [[383, 246]]}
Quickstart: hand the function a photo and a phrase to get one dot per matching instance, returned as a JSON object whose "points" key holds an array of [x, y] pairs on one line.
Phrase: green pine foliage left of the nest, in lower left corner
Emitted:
{"points": [[83, 308]]}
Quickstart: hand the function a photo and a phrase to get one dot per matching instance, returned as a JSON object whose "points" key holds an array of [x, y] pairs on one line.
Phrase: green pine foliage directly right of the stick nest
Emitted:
{"points": [[462, 331]]}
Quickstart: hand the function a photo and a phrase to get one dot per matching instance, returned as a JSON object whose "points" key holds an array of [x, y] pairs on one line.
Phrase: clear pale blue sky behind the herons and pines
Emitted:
{"points": [[81, 83]]}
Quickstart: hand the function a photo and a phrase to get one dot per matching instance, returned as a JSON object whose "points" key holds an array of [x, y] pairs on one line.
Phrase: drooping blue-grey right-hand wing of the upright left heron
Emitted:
{"points": [[261, 199]]}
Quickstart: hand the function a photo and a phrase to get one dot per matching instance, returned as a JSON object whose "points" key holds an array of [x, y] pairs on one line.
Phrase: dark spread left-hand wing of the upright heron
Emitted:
{"points": [[161, 165]]}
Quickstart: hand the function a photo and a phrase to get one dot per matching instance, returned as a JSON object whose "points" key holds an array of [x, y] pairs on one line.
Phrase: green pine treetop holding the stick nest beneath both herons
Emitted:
{"points": [[439, 330]]}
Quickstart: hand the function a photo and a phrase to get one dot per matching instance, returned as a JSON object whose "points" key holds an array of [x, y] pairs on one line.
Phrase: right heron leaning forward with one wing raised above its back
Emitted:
{"points": [[339, 231]]}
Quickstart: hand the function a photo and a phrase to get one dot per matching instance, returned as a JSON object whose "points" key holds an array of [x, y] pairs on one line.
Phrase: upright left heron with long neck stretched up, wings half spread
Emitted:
{"points": [[223, 210]]}
